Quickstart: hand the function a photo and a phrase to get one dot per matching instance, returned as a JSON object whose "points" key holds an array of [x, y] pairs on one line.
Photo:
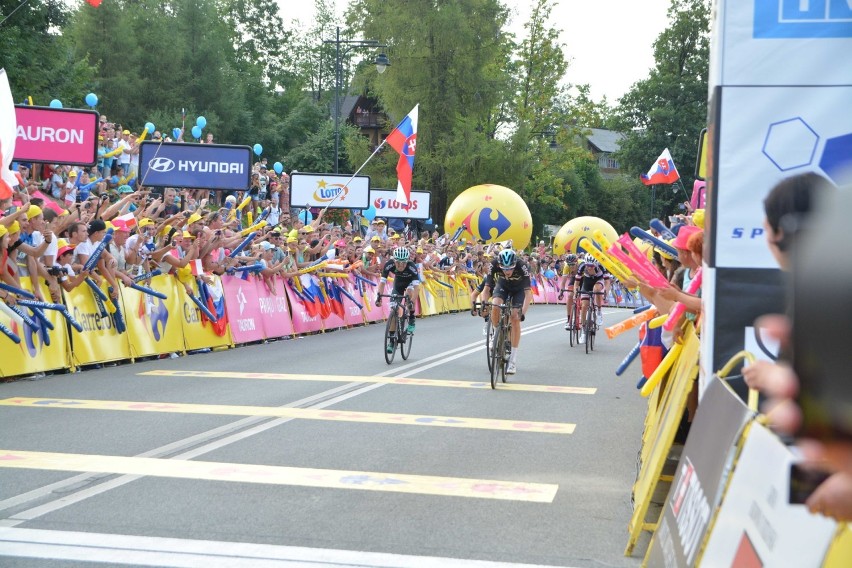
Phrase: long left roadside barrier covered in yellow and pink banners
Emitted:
{"points": [[169, 316]]}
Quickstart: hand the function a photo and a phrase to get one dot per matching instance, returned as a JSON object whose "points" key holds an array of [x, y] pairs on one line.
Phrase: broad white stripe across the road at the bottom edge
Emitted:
{"points": [[159, 551]]}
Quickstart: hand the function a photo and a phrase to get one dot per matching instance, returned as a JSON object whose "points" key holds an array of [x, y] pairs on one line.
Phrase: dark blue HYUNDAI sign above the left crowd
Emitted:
{"points": [[196, 166]]}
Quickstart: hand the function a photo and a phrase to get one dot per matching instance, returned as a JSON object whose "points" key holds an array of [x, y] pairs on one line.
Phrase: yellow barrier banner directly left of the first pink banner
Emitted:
{"points": [[198, 331]]}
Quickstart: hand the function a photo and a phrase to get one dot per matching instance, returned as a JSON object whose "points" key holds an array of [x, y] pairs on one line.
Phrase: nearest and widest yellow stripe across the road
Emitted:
{"points": [[282, 475]]}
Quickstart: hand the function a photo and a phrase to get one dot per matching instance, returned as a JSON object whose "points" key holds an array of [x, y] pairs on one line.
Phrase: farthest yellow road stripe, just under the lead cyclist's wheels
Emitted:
{"points": [[369, 379]]}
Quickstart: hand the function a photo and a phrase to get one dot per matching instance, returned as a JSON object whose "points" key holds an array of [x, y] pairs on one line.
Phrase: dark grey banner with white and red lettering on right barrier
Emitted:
{"points": [[697, 487]]}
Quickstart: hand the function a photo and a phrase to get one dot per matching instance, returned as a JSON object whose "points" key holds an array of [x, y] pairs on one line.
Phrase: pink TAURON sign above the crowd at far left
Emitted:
{"points": [[56, 136]]}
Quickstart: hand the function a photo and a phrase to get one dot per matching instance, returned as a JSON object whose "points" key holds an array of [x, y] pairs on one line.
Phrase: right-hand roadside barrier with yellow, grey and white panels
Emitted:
{"points": [[727, 503]]}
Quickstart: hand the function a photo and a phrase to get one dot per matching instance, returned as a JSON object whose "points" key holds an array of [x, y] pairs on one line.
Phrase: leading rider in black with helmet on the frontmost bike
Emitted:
{"points": [[512, 284]]}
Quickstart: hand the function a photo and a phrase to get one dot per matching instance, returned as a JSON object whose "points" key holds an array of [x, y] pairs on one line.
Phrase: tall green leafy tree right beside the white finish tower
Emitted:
{"points": [[669, 108]]}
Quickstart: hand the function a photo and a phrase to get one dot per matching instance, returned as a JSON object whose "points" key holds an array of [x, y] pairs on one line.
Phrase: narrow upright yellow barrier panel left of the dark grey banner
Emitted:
{"points": [[682, 378]]}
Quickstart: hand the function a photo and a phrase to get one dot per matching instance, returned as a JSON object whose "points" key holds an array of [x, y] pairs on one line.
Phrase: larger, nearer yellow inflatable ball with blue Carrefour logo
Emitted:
{"points": [[492, 213]]}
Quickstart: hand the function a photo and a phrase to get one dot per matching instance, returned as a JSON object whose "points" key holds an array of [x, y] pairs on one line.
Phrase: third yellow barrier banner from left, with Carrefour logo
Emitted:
{"points": [[154, 324]]}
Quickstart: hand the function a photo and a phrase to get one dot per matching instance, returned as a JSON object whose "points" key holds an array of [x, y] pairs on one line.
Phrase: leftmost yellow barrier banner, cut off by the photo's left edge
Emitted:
{"points": [[40, 348]]}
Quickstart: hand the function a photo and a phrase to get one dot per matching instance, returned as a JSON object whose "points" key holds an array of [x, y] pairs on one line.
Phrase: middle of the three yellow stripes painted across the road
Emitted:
{"points": [[297, 413]]}
